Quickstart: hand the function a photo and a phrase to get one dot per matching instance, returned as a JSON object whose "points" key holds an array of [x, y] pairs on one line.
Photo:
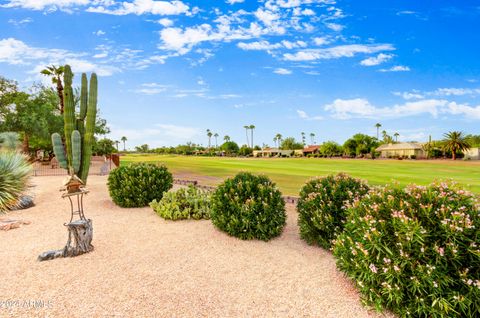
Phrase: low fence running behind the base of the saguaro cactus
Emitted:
{"points": [[99, 166]]}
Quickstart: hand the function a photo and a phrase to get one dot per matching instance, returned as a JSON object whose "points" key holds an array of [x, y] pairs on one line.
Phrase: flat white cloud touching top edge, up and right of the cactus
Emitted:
{"points": [[140, 7]]}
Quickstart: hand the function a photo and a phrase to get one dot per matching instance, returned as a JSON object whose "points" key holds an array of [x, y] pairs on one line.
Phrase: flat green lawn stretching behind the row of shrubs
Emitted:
{"points": [[291, 173]]}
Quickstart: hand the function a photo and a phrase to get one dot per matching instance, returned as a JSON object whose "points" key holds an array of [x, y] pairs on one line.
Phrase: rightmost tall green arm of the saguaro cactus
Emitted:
{"points": [[89, 128]]}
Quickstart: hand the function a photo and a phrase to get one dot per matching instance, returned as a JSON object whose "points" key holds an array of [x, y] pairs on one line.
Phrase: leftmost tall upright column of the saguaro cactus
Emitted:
{"points": [[69, 112]]}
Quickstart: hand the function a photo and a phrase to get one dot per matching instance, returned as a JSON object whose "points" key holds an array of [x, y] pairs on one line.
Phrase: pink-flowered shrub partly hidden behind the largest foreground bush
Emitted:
{"points": [[322, 207]]}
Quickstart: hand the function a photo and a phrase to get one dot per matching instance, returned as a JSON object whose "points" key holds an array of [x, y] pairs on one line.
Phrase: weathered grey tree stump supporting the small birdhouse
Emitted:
{"points": [[80, 235]]}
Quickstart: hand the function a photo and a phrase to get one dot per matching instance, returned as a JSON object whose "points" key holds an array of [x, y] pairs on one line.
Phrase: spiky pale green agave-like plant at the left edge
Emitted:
{"points": [[15, 173]]}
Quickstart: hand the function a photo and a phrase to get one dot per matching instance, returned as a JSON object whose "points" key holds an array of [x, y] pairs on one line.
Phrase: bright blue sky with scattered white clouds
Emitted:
{"points": [[169, 70]]}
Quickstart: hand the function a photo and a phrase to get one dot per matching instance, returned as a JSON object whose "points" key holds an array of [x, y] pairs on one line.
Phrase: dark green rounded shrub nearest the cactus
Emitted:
{"points": [[136, 185]]}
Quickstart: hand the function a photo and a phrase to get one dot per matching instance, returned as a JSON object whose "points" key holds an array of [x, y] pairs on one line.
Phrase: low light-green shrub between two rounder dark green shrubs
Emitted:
{"points": [[185, 203]]}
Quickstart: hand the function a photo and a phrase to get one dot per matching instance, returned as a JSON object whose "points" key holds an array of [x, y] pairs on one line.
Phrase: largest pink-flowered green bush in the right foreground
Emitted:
{"points": [[415, 251]]}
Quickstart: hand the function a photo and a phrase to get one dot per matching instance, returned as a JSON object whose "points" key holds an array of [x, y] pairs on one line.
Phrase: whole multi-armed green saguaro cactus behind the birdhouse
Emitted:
{"points": [[79, 128]]}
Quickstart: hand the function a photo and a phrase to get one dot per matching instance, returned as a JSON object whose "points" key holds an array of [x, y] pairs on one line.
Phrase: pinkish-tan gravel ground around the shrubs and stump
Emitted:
{"points": [[144, 266]]}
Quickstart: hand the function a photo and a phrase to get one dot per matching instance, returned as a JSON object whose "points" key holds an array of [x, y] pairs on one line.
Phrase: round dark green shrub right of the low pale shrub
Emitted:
{"points": [[249, 207]]}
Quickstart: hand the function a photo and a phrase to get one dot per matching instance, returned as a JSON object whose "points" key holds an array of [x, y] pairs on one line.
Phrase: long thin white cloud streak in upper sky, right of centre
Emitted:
{"points": [[335, 52]]}
